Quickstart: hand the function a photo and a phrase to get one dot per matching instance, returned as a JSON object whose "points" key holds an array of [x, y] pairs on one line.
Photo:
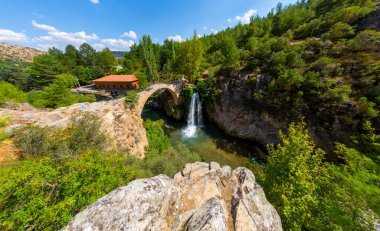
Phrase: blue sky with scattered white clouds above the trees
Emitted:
{"points": [[118, 24]]}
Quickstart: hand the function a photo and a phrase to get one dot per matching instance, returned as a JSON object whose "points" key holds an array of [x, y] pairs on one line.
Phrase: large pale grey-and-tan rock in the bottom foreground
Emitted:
{"points": [[200, 197]]}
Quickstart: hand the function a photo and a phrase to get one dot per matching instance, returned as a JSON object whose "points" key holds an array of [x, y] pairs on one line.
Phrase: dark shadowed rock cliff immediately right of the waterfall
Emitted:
{"points": [[236, 114]]}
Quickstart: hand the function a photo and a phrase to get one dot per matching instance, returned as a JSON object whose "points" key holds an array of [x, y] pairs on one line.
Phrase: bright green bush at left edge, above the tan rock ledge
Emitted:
{"points": [[10, 93]]}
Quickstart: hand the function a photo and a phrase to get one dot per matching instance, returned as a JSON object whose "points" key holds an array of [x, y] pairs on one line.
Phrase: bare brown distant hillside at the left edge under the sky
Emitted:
{"points": [[11, 51]]}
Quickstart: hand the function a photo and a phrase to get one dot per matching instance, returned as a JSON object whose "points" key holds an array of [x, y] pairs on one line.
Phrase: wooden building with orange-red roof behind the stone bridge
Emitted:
{"points": [[117, 82]]}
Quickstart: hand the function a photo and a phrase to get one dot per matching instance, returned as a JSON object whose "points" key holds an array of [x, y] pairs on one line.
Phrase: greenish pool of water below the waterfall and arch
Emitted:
{"points": [[210, 143]]}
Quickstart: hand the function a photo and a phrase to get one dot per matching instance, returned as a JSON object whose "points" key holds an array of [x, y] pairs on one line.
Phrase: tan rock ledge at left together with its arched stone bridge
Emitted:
{"points": [[124, 126]]}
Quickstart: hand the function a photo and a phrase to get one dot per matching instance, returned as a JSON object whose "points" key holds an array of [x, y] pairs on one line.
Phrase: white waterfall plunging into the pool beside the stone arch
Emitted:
{"points": [[195, 118]]}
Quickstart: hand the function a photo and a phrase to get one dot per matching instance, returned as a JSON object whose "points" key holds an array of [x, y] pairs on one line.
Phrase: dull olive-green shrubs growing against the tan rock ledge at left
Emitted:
{"points": [[82, 135]]}
